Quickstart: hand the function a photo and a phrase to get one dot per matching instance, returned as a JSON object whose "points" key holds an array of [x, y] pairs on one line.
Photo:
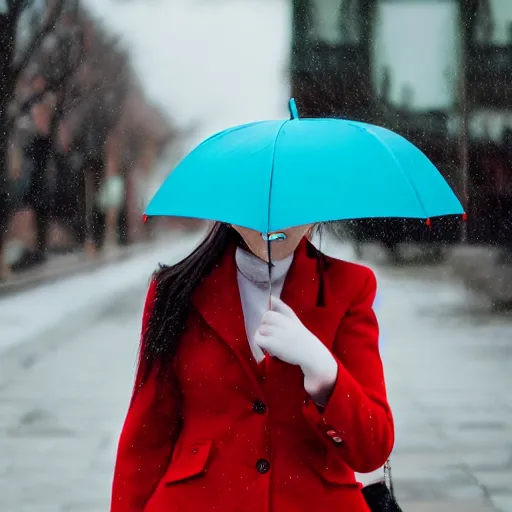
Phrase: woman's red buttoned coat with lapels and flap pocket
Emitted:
{"points": [[250, 442]]}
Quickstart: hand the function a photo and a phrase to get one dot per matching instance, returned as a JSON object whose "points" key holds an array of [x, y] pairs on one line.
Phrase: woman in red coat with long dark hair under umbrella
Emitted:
{"points": [[214, 424]]}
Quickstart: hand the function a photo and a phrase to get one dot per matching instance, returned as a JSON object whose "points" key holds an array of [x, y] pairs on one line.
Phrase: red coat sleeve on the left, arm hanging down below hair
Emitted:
{"points": [[147, 437]]}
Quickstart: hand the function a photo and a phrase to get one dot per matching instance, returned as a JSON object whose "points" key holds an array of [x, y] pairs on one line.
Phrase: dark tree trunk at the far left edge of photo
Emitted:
{"points": [[7, 83]]}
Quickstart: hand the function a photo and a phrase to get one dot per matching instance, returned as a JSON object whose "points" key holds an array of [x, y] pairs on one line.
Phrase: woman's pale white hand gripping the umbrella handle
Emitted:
{"points": [[283, 335]]}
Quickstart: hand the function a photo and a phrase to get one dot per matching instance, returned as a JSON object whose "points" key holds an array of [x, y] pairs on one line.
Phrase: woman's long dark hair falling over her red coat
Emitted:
{"points": [[175, 286]]}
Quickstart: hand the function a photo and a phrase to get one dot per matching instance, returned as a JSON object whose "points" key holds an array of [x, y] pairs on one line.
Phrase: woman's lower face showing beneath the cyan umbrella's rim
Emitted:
{"points": [[285, 242]]}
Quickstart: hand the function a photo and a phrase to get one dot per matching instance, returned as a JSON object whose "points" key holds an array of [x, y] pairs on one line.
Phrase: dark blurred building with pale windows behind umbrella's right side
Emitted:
{"points": [[439, 72]]}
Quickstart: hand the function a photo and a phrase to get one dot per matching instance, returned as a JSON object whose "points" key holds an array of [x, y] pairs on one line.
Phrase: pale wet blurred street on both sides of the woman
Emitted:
{"points": [[66, 370]]}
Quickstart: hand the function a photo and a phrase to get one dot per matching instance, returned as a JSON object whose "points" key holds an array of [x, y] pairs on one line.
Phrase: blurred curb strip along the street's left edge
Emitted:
{"points": [[45, 275]]}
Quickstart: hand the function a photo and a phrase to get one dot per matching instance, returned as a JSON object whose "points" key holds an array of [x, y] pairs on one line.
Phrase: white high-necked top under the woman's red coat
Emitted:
{"points": [[253, 284]]}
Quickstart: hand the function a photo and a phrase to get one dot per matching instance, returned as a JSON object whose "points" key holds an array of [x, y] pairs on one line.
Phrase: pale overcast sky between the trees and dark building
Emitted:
{"points": [[212, 62]]}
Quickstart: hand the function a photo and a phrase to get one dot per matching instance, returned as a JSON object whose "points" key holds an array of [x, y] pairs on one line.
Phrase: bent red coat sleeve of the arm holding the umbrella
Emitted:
{"points": [[357, 419]]}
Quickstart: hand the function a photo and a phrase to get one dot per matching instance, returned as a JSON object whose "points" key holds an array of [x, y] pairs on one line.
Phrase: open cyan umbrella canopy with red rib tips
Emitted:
{"points": [[272, 175]]}
